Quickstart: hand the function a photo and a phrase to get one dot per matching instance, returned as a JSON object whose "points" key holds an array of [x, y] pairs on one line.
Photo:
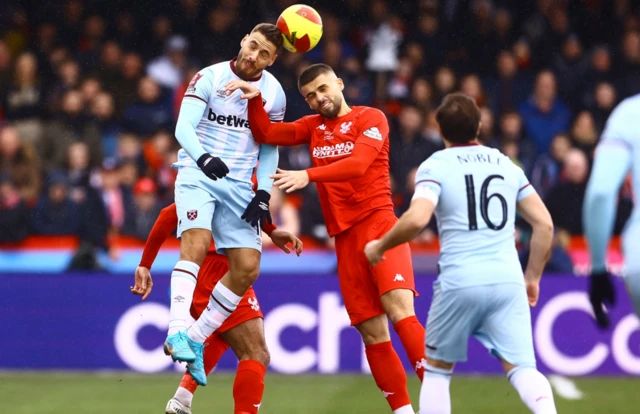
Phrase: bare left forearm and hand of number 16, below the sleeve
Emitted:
{"points": [[406, 229]]}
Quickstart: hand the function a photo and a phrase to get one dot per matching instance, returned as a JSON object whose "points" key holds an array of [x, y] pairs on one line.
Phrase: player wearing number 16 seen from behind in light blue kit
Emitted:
{"points": [[475, 191]]}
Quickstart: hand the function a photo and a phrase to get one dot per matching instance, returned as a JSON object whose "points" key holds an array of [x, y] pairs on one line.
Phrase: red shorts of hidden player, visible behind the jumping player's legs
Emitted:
{"points": [[214, 267]]}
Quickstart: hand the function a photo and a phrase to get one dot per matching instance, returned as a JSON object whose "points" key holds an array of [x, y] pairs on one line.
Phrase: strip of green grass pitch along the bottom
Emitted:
{"points": [[38, 393]]}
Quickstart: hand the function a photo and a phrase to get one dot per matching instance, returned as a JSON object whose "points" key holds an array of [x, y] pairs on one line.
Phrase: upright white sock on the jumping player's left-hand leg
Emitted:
{"points": [[183, 283]]}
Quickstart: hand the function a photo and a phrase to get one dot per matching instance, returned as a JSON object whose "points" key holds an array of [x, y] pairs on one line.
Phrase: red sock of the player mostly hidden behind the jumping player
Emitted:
{"points": [[248, 387]]}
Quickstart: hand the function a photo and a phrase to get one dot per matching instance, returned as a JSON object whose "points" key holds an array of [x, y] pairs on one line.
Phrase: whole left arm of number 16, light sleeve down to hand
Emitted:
{"points": [[414, 220]]}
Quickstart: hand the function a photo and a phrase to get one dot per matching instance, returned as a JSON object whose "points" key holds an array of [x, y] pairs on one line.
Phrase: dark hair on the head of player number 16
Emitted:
{"points": [[458, 117]]}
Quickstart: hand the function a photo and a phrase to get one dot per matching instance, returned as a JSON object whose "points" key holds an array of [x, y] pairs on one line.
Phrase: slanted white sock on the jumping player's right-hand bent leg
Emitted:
{"points": [[221, 304]]}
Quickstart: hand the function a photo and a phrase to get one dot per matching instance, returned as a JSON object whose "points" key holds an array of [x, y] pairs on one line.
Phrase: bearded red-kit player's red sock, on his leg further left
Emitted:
{"points": [[388, 372]]}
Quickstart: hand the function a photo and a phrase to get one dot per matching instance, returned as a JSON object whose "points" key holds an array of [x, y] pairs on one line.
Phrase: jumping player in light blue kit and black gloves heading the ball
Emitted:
{"points": [[213, 190]]}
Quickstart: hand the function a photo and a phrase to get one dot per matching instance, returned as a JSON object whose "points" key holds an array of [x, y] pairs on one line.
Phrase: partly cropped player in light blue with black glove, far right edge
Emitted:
{"points": [[617, 154]]}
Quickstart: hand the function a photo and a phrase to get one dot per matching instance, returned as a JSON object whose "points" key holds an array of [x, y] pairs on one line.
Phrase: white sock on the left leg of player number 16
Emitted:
{"points": [[434, 392]]}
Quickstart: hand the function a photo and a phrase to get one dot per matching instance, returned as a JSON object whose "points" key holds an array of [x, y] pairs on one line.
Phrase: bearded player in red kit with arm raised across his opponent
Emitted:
{"points": [[350, 152]]}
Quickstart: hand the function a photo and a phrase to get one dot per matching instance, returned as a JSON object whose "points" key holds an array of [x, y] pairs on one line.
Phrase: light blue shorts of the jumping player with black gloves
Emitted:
{"points": [[202, 203]]}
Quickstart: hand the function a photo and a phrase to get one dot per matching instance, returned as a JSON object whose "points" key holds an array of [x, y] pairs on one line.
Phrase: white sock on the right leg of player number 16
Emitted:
{"points": [[534, 389]]}
